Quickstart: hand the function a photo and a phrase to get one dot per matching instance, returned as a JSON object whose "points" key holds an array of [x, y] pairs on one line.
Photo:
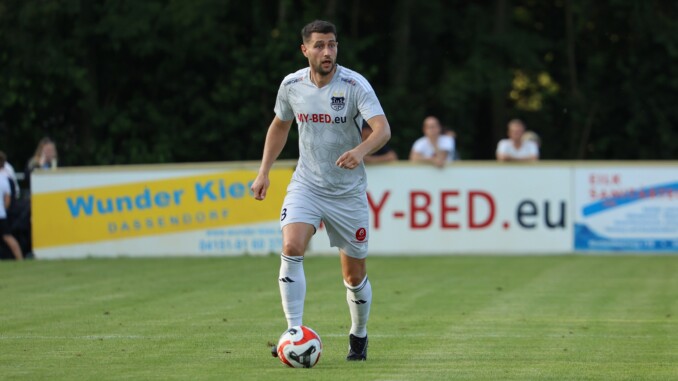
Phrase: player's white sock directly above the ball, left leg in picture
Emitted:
{"points": [[292, 283]]}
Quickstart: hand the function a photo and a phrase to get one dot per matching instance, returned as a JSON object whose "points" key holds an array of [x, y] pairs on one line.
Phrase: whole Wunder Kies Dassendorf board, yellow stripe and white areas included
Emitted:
{"points": [[154, 211]]}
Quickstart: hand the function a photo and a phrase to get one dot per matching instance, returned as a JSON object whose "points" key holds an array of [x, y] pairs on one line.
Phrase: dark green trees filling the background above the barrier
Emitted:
{"points": [[117, 82]]}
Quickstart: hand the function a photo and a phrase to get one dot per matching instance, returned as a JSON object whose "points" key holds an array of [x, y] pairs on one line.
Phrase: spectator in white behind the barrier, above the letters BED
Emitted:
{"points": [[434, 147]]}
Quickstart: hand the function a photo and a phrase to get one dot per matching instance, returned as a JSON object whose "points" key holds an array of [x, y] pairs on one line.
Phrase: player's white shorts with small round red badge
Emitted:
{"points": [[345, 218]]}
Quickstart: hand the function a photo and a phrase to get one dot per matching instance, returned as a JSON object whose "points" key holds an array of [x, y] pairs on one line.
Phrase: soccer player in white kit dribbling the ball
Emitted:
{"points": [[329, 103]]}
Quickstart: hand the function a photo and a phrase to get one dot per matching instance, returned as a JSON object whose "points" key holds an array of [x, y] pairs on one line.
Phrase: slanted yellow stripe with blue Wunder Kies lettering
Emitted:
{"points": [[154, 207]]}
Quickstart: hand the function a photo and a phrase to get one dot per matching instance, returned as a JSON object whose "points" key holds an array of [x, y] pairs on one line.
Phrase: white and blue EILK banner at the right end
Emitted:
{"points": [[626, 208]]}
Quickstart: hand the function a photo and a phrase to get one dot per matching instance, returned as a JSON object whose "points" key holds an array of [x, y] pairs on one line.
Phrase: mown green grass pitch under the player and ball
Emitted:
{"points": [[433, 318]]}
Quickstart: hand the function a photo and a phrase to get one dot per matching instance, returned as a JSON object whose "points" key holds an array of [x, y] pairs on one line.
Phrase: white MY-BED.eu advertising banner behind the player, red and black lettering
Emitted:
{"points": [[467, 209]]}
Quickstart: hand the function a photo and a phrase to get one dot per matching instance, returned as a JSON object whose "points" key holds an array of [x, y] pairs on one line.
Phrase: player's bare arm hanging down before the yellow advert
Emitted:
{"points": [[276, 137]]}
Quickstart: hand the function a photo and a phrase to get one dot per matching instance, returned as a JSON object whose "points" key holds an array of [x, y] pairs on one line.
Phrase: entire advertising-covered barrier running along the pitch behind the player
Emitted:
{"points": [[464, 208]]}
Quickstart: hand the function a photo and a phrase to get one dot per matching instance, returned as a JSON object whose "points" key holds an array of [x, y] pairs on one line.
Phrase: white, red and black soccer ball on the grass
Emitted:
{"points": [[299, 347]]}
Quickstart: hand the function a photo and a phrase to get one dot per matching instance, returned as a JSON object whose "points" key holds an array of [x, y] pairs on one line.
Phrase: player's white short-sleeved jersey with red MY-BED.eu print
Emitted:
{"points": [[330, 123]]}
